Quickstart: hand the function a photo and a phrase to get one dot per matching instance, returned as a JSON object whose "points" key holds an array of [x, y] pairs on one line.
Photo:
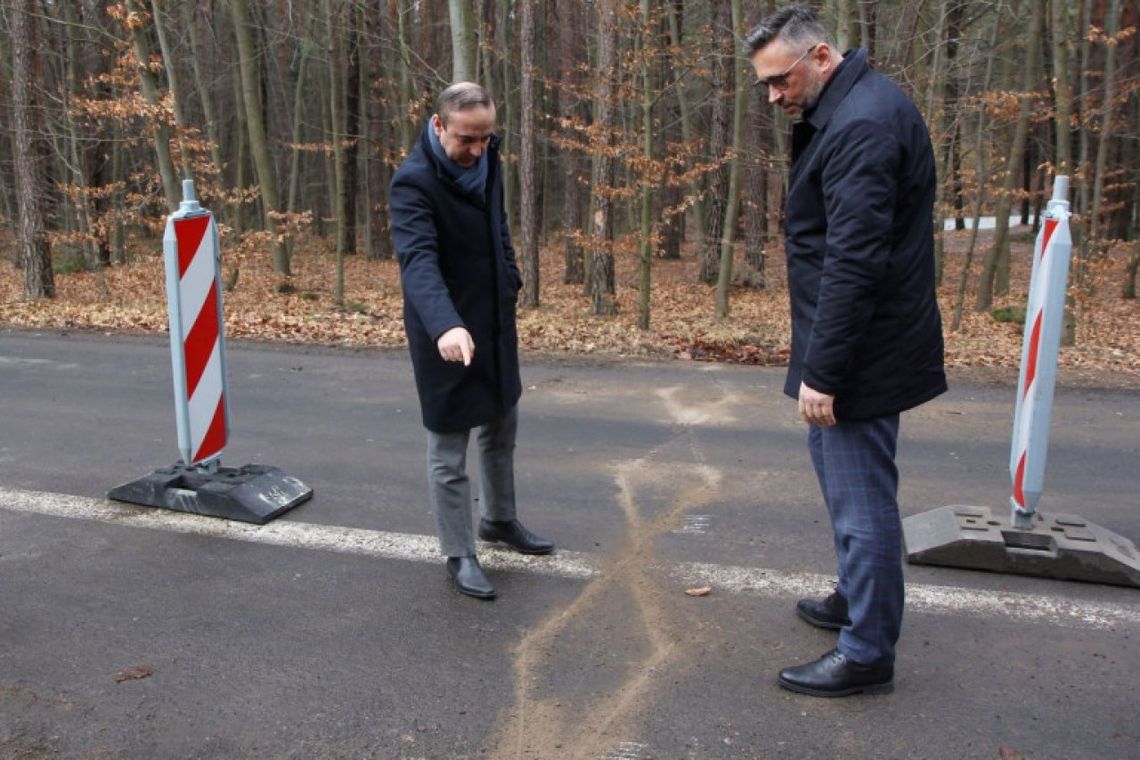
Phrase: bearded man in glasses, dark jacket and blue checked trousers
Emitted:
{"points": [[867, 334]]}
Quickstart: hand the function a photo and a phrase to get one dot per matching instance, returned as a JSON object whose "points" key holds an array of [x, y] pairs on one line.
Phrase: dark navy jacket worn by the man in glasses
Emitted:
{"points": [[860, 240]]}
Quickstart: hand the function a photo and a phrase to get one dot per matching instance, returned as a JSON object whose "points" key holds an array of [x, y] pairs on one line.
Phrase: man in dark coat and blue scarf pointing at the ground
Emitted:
{"points": [[461, 285]]}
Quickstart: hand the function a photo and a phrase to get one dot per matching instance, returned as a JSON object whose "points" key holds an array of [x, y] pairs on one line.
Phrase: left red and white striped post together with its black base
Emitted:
{"points": [[254, 494]]}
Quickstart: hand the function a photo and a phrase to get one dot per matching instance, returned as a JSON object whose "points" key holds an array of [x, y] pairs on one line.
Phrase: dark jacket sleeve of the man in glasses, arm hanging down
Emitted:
{"points": [[860, 183]]}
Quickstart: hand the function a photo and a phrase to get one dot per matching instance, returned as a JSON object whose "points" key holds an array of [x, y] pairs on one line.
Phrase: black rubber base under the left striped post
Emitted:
{"points": [[254, 494]]}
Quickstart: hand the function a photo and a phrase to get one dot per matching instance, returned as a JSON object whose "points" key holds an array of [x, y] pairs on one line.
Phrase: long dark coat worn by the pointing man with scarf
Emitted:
{"points": [[458, 268]]}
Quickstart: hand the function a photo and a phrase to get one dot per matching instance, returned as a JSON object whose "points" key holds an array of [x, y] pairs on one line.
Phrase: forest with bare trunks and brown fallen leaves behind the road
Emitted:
{"points": [[646, 175]]}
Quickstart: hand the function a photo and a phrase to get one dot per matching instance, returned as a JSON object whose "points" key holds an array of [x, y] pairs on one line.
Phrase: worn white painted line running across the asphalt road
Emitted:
{"points": [[937, 600]]}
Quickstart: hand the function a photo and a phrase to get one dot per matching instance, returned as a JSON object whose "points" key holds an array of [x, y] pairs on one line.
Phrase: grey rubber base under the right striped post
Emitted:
{"points": [[1058, 546]]}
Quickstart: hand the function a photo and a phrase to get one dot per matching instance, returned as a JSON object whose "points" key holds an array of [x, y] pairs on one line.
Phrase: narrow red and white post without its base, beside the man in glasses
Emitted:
{"points": [[1044, 321]]}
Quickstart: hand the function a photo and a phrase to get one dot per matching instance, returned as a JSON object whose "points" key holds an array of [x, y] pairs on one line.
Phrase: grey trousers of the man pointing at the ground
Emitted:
{"points": [[451, 489]]}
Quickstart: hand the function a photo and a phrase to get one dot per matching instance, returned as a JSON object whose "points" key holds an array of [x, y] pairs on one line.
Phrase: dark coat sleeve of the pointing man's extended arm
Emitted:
{"points": [[417, 246]]}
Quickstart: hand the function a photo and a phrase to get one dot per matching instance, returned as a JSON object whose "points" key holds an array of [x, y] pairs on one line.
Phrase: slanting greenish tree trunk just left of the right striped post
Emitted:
{"points": [[996, 267]]}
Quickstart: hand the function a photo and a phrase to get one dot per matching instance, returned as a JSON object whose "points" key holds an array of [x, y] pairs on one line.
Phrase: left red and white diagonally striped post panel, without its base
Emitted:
{"points": [[198, 349]]}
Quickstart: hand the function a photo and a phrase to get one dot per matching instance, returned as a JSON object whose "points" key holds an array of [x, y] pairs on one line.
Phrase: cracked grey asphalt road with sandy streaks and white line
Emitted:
{"points": [[333, 632]]}
